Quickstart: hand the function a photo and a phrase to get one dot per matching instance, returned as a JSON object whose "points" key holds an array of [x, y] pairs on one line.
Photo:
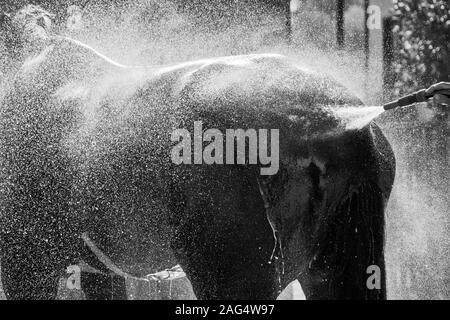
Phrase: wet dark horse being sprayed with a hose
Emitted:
{"points": [[86, 149]]}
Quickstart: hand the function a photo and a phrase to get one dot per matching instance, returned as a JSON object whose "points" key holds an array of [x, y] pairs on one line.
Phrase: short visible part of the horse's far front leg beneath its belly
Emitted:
{"points": [[98, 286]]}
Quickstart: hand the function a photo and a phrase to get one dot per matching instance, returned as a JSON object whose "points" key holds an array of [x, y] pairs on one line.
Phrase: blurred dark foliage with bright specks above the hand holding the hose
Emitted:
{"points": [[422, 33]]}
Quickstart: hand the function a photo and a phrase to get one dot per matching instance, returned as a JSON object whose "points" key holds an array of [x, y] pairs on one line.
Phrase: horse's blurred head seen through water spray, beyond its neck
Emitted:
{"points": [[25, 32]]}
